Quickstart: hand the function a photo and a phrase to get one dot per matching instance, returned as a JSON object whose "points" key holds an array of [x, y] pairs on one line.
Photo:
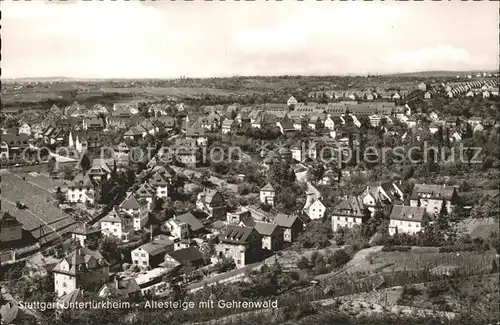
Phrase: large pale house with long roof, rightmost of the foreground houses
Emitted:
{"points": [[432, 197]]}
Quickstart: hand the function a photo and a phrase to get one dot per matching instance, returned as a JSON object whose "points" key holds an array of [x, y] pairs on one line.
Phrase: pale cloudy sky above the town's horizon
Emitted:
{"points": [[166, 39]]}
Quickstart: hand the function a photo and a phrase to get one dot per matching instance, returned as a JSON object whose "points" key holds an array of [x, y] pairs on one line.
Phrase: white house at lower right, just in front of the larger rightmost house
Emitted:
{"points": [[407, 220]]}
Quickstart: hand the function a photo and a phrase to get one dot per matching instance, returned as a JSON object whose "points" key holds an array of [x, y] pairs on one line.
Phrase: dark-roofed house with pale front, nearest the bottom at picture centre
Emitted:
{"points": [[242, 244]]}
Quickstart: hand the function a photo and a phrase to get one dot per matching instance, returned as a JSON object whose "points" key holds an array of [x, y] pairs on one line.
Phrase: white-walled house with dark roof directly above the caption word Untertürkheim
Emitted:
{"points": [[82, 268]]}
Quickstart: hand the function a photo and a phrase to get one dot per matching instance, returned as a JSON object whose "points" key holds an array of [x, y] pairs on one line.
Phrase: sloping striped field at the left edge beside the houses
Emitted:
{"points": [[42, 218]]}
